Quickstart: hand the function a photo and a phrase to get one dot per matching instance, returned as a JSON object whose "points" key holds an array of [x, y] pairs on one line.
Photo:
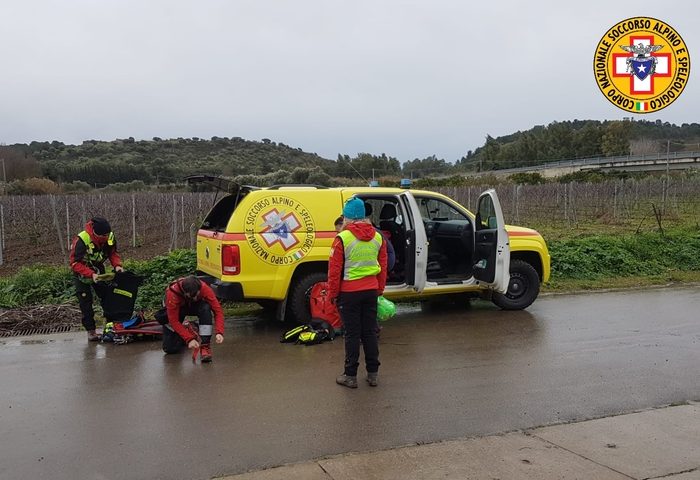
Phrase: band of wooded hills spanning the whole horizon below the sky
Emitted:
{"points": [[129, 164]]}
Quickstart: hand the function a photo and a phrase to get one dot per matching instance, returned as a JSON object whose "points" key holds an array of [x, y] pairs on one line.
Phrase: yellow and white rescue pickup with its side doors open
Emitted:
{"points": [[271, 245]]}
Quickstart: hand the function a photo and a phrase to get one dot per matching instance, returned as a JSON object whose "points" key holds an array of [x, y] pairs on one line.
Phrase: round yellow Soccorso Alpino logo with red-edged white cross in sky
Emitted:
{"points": [[641, 65]]}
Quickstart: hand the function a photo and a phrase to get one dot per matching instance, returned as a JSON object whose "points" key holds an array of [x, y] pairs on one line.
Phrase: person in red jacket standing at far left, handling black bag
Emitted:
{"points": [[89, 251]]}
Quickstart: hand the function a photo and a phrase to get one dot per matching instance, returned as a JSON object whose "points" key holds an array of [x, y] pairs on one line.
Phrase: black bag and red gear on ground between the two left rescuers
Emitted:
{"points": [[118, 301]]}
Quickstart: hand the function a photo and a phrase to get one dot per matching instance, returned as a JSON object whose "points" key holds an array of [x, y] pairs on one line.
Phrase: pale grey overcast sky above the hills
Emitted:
{"points": [[405, 78]]}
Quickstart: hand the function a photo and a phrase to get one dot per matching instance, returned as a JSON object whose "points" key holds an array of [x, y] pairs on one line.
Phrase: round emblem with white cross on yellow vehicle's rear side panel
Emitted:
{"points": [[279, 230]]}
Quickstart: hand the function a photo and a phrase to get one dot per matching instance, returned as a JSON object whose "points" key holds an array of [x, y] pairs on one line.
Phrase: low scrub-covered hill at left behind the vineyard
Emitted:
{"points": [[164, 161]]}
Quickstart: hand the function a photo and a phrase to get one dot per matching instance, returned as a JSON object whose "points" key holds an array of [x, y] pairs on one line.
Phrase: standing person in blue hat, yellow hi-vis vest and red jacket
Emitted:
{"points": [[356, 277]]}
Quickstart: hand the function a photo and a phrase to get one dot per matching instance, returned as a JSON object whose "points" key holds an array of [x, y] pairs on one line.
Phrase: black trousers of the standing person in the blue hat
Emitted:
{"points": [[359, 313]]}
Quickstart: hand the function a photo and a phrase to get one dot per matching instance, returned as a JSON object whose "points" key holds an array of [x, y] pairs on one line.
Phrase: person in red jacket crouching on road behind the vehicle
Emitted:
{"points": [[190, 296]]}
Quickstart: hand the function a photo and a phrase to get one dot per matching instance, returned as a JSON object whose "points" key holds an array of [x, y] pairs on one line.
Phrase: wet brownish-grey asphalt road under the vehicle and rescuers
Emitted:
{"points": [[73, 410]]}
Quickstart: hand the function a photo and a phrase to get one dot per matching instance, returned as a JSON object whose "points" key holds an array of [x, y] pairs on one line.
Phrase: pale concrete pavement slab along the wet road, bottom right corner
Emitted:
{"points": [[658, 443]]}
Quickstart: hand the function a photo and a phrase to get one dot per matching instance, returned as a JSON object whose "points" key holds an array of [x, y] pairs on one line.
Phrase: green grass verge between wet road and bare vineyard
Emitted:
{"points": [[600, 261]]}
